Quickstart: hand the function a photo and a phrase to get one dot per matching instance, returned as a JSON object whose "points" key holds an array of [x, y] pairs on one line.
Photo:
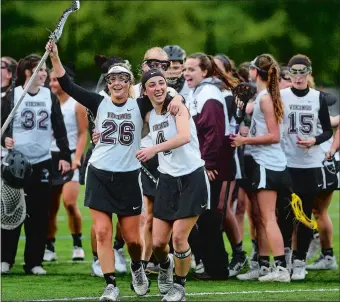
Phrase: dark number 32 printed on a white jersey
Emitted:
{"points": [[29, 119]]}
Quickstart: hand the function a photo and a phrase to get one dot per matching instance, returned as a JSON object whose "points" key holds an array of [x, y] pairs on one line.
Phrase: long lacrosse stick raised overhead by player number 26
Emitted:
{"points": [[55, 36]]}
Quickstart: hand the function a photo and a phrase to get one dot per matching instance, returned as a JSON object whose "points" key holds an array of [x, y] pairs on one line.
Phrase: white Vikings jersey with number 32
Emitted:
{"points": [[32, 127]]}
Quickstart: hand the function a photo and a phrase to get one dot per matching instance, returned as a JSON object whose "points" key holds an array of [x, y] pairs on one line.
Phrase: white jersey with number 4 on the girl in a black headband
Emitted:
{"points": [[180, 161]]}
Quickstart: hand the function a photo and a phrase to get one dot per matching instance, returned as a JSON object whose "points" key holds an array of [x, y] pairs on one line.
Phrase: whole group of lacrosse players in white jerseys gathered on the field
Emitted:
{"points": [[175, 157]]}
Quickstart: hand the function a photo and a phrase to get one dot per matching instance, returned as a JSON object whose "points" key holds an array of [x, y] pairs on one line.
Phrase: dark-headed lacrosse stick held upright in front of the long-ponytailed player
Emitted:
{"points": [[243, 92]]}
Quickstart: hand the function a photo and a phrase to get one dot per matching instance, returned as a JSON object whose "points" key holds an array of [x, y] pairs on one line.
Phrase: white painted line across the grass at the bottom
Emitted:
{"points": [[202, 294]]}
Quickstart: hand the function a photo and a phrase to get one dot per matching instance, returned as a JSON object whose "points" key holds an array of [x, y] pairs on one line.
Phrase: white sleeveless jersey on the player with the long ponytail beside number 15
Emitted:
{"points": [[270, 156]]}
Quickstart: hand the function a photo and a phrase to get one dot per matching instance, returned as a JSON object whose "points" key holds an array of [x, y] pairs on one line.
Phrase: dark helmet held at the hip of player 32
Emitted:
{"points": [[15, 169]]}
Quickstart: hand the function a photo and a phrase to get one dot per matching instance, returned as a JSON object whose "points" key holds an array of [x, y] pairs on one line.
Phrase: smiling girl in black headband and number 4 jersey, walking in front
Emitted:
{"points": [[183, 186]]}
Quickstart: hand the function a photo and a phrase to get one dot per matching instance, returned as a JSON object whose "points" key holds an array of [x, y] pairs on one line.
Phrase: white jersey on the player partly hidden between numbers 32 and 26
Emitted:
{"points": [[68, 110]]}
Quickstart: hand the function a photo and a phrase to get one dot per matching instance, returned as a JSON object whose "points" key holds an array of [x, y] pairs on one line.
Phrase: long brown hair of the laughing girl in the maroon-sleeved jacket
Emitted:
{"points": [[207, 63]]}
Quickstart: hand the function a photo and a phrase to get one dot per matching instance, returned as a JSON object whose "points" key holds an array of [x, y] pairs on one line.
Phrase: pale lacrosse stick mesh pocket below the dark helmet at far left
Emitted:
{"points": [[13, 207]]}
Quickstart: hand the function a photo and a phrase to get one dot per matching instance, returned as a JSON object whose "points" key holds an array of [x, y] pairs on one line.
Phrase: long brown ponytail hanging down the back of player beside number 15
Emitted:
{"points": [[268, 71]]}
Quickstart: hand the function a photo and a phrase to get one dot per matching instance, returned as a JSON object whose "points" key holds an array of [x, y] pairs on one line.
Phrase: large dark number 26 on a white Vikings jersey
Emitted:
{"points": [[125, 132]]}
